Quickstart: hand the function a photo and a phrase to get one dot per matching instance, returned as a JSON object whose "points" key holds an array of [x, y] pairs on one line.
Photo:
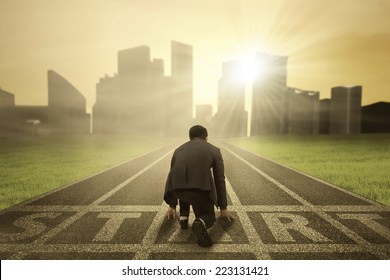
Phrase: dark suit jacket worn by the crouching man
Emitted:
{"points": [[197, 165]]}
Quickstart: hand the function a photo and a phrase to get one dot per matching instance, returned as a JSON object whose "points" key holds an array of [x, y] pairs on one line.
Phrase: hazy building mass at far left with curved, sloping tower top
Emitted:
{"points": [[65, 113]]}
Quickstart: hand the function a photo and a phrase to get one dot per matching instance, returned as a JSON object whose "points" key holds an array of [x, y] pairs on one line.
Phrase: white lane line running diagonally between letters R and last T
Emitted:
{"points": [[351, 234]]}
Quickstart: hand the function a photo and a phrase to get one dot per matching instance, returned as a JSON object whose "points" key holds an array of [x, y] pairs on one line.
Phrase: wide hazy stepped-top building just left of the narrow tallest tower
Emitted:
{"points": [[132, 100]]}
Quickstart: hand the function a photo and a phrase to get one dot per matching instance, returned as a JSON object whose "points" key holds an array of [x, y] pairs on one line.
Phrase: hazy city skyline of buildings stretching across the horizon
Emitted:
{"points": [[140, 99]]}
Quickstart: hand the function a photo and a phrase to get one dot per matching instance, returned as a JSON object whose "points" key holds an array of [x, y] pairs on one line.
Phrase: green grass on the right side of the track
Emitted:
{"points": [[359, 163]]}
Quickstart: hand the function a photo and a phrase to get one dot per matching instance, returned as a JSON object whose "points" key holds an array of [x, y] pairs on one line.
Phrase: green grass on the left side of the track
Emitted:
{"points": [[34, 165]]}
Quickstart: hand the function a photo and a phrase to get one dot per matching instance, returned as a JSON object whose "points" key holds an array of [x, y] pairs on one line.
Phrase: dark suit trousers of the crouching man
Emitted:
{"points": [[202, 205]]}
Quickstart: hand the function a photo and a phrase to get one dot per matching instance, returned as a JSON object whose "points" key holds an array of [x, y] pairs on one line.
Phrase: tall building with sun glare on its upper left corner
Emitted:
{"points": [[269, 95]]}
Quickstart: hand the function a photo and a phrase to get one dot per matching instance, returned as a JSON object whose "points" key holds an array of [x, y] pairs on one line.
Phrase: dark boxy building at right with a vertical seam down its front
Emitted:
{"points": [[345, 110]]}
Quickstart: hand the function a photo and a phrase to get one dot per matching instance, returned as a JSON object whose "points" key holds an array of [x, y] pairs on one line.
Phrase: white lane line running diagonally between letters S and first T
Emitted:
{"points": [[45, 237]]}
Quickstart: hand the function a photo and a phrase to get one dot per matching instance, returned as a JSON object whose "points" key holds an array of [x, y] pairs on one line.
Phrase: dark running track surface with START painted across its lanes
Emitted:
{"points": [[119, 214]]}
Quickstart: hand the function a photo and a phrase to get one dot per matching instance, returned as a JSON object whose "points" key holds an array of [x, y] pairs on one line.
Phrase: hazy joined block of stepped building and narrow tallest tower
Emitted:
{"points": [[141, 100]]}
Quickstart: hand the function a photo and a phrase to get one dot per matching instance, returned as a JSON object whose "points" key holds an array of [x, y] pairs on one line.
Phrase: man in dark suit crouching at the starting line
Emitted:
{"points": [[191, 180]]}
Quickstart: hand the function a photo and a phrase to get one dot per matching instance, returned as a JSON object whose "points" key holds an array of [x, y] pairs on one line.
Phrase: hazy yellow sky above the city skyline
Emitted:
{"points": [[328, 42]]}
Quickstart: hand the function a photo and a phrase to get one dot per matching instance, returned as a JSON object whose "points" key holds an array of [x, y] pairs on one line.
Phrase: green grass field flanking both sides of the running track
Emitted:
{"points": [[34, 165]]}
